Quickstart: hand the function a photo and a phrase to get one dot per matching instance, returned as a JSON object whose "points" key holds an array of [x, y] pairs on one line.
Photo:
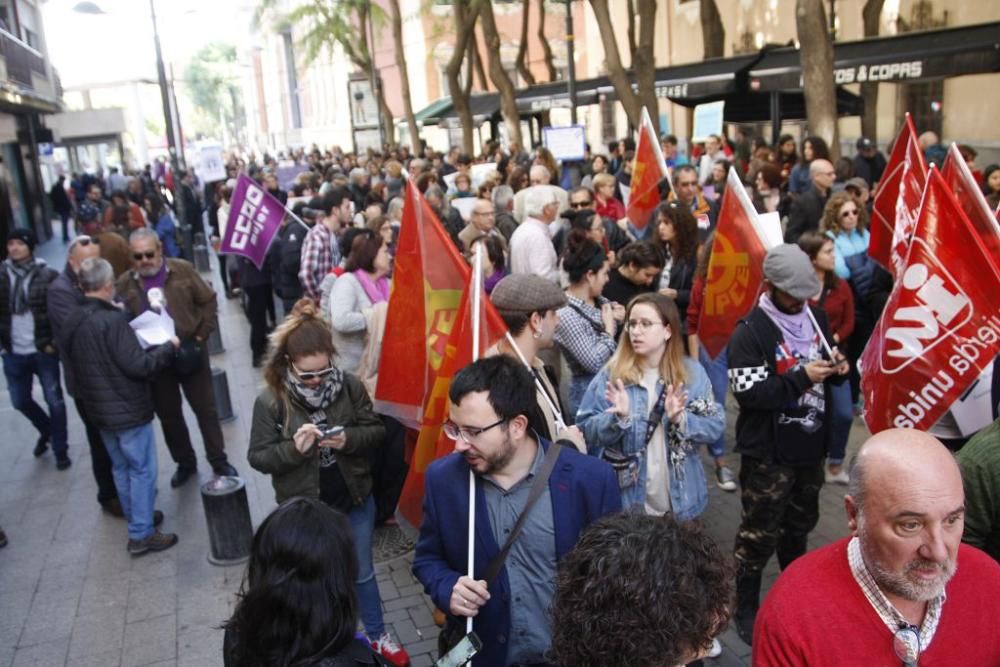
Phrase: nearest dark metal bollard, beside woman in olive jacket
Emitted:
{"points": [[227, 515]]}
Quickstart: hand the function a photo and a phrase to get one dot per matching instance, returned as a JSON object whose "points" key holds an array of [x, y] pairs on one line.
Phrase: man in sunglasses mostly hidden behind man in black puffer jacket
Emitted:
{"points": [[65, 295]]}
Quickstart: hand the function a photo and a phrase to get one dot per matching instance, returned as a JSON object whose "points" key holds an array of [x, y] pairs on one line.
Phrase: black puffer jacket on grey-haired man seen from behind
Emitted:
{"points": [[110, 369]]}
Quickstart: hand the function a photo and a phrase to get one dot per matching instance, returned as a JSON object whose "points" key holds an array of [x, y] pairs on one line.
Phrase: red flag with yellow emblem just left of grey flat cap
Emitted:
{"points": [[736, 267]]}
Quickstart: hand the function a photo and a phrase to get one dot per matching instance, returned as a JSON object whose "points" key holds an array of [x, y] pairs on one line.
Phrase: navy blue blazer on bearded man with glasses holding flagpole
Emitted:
{"points": [[582, 489]]}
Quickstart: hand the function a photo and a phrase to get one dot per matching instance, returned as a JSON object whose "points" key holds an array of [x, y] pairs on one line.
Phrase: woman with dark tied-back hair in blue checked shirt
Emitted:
{"points": [[589, 322]]}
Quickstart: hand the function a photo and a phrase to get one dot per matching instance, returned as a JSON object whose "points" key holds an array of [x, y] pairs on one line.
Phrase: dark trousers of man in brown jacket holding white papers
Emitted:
{"points": [[169, 408]]}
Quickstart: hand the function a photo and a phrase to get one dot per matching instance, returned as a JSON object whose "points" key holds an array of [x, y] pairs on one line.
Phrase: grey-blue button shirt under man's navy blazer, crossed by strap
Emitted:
{"points": [[530, 565]]}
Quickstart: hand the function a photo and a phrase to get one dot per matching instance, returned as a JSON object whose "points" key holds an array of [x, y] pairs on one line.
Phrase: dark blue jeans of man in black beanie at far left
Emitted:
{"points": [[20, 370]]}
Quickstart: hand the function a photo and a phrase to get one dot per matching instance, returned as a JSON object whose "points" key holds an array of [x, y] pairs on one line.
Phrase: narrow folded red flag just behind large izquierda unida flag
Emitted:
{"points": [[897, 200]]}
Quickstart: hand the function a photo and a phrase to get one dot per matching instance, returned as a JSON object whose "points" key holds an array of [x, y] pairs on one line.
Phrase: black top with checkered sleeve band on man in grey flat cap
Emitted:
{"points": [[777, 421]]}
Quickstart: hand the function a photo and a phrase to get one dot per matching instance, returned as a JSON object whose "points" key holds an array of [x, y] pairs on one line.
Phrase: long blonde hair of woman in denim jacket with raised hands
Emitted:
{"points": [[625, 363]]}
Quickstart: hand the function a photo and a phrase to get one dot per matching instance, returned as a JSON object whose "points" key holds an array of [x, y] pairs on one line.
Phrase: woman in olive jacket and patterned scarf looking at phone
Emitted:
{"points": [[313, 427]]}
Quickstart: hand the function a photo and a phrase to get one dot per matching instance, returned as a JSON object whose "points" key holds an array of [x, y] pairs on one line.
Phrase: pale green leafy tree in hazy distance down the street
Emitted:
{"points": [[211, 80]]}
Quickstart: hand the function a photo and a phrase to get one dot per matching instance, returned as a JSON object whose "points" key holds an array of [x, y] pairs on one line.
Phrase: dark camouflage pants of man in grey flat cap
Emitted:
{"points": [[780, 508]]}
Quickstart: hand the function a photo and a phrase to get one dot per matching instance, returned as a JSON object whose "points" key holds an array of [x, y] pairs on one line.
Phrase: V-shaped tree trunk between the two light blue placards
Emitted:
{"points": [[643, 63]]}
